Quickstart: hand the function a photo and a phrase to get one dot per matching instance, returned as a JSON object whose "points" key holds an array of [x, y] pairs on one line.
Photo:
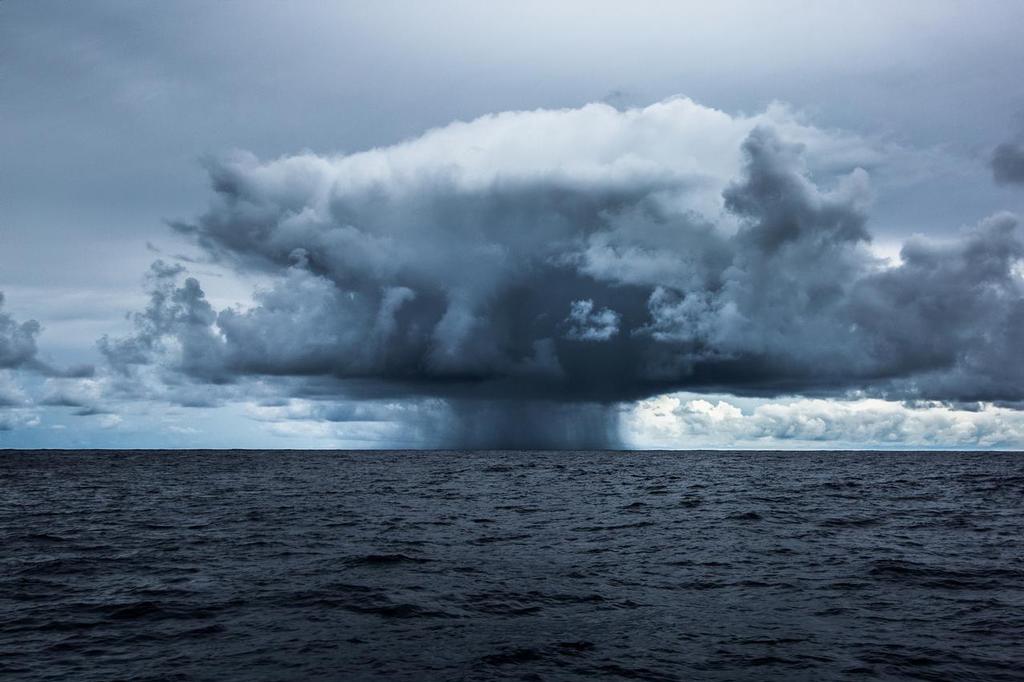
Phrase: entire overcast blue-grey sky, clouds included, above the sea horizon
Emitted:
{"points": [[447, 224]]}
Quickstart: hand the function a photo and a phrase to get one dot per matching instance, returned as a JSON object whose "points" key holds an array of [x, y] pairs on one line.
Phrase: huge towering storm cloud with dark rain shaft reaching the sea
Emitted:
{"points": [[536, 269]]}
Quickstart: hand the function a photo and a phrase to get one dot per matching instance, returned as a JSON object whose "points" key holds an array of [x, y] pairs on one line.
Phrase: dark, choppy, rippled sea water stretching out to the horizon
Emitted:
{"points": [[523, 566]]}
